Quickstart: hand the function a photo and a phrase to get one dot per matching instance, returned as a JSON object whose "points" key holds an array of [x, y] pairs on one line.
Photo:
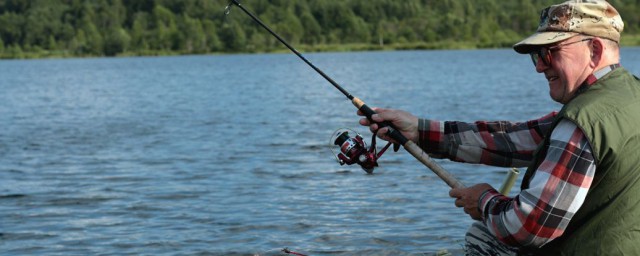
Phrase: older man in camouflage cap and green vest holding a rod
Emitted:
{"points": [[581, 192]]}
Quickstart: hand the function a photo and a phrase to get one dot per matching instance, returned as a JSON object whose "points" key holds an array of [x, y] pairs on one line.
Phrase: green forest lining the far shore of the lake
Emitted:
{"points": [[83, 28]]}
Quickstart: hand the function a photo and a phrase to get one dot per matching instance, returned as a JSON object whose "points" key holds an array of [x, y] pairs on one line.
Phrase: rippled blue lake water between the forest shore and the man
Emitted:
{"points": [[229, 155]]}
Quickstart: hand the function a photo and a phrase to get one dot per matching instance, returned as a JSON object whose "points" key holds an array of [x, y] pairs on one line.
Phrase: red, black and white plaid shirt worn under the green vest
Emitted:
{"points": [[540, 213]]}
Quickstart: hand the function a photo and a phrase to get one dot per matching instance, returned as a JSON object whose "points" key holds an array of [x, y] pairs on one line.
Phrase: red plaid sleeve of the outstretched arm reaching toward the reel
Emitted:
{"points": [[497, 143]]}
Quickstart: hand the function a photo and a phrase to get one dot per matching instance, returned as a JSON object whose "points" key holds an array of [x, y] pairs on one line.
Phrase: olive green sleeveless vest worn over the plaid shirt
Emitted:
{"points": [[608, 223]]}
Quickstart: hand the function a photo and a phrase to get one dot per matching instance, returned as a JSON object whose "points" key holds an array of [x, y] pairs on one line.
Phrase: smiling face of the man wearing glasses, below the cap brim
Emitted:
{"points": [[565, 66]]}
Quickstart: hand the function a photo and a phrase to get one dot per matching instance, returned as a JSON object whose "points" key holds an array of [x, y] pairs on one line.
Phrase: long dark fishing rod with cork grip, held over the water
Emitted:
{"points": [[393, 132]]}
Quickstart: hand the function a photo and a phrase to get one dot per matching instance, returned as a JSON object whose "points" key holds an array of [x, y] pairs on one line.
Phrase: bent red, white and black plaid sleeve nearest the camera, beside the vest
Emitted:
{"points": [[559, 187]]}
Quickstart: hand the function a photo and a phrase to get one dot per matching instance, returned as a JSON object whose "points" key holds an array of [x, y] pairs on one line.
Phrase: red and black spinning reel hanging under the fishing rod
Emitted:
{"points": [[353, 150]]}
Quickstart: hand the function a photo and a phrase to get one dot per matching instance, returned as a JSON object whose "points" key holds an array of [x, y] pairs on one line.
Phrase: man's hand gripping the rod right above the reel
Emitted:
{"points": [[405, 122]]}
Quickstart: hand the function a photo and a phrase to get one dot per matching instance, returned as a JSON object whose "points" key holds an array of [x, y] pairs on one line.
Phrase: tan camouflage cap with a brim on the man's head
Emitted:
{"points": [[562, 21]]}
